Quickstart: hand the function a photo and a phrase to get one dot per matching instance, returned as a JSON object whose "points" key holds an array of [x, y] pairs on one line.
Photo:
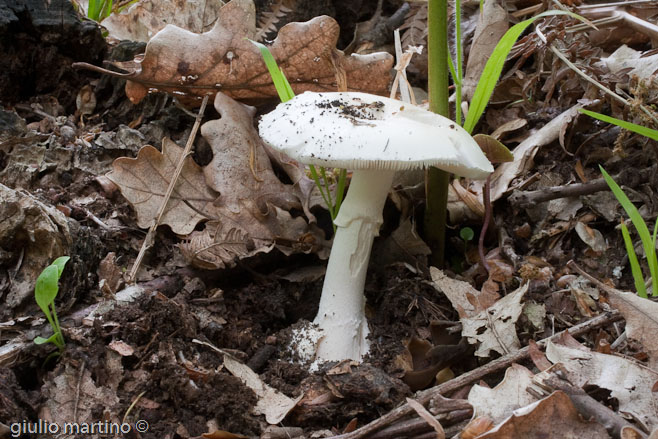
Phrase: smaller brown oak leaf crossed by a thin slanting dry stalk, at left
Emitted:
{"points": [[144, 181]]}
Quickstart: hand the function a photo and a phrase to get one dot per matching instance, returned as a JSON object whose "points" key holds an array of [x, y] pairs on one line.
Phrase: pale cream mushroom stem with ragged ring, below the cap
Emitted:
{"points": [[341, 315]]}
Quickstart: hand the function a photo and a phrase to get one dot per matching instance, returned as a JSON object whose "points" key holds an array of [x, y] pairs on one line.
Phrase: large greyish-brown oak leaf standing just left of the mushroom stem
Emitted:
{"points": [[250, 213]]}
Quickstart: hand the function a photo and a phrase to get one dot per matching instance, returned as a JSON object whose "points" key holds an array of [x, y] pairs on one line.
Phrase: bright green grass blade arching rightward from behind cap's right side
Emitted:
{"points": [[494, 67]]}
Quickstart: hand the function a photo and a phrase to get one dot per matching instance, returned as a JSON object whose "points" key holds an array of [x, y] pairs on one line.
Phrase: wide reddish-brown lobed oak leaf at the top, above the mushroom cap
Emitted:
{"points": [[223, 59]]}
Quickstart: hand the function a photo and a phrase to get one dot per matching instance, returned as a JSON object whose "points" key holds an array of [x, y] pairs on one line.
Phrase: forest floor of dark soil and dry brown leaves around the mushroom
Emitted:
{"points": [[168, 351]]}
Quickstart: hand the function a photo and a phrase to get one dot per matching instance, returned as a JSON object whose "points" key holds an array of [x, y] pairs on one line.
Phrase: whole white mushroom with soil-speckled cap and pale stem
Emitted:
{"points": [[374, 137]]}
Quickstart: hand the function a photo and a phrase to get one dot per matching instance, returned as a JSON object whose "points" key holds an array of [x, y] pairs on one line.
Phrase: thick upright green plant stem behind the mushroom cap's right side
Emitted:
{"points": [[437, 180]]}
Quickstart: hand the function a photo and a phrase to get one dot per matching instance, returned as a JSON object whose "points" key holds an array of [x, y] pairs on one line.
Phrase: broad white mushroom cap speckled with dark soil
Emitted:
{"points": [[362, 131]]}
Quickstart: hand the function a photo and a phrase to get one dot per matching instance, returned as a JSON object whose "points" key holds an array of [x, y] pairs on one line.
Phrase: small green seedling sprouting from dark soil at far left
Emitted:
{"points": [[45, 292]]}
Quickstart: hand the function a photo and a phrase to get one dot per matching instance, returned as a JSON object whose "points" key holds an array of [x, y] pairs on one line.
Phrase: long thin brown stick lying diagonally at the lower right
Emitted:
{"points": [[456, 383]]}
